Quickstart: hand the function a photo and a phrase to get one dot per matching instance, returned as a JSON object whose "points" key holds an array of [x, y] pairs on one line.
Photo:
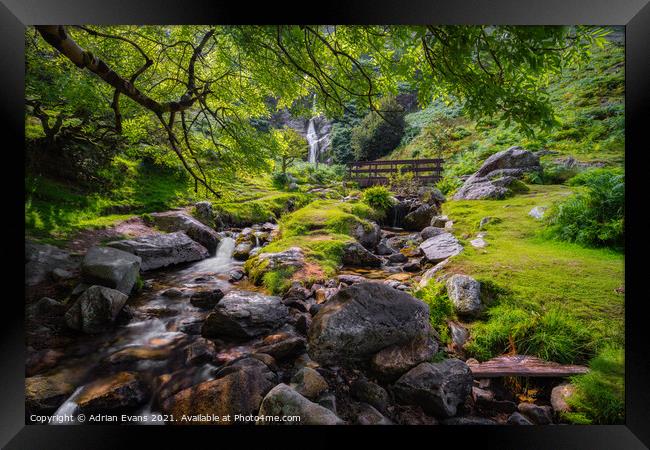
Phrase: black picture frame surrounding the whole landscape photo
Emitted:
{"points": [[633, 14]]}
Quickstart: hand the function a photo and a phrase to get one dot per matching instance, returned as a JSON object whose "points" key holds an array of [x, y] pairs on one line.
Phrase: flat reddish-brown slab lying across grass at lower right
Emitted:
{"points": [[523, 366]]}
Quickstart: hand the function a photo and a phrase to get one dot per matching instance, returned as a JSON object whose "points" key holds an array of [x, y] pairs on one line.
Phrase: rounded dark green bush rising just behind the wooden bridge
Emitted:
{"points": [[379, 132]]}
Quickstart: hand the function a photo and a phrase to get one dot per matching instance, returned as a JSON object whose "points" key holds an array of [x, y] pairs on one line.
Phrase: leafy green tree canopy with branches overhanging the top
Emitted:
{"points": [[200, 88]]}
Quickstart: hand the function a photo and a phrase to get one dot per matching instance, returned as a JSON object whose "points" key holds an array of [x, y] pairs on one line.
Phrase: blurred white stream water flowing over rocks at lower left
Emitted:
{"points": [[155, 341]]}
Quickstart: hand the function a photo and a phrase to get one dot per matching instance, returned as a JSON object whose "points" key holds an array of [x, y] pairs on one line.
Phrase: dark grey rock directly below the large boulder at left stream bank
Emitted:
{"points": [[95, 309]]}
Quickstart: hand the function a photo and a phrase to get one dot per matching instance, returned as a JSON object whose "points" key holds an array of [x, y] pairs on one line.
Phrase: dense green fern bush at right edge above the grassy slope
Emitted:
{"points": [[595, 216]]}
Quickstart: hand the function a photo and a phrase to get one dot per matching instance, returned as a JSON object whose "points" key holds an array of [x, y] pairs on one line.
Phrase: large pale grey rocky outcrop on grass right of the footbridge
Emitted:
{"points": [[498, 172]]}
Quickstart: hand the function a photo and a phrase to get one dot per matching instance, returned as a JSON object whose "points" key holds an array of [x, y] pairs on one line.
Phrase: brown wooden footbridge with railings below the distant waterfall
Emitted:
{"points": [[370, 173]]}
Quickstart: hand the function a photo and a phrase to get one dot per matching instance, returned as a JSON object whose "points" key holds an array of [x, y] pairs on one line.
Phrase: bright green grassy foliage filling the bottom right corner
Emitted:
{"points": [[600, 393]]}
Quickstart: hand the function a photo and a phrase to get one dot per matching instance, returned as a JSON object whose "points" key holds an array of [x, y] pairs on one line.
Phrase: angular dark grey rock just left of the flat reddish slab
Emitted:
{"points": [[439, 388]]}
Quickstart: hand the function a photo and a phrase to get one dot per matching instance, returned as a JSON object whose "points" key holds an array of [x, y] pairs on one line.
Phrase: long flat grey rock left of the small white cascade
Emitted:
{"points": [[161, 250]]}
